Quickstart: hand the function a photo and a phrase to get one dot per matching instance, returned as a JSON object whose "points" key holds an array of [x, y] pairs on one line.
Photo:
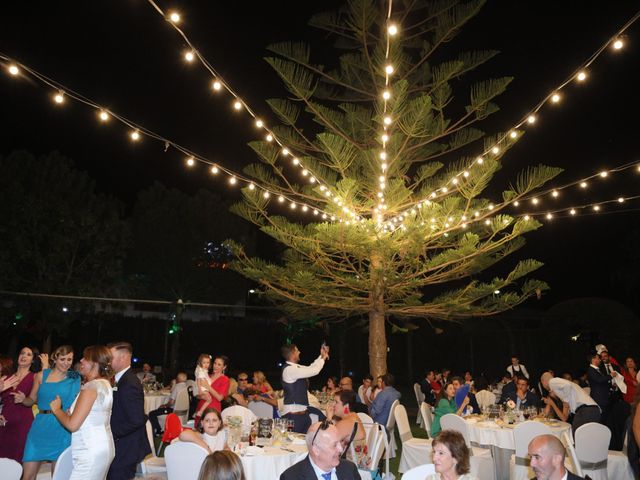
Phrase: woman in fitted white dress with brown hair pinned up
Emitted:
{"points": [[92, 446]]}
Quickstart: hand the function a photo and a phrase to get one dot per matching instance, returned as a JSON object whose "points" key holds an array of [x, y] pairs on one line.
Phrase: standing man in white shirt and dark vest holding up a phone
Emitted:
{"points": [[294, 385]]}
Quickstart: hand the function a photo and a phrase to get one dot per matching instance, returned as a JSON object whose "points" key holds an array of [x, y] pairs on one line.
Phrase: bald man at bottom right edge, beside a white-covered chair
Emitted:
{"points": [[547, 459]]}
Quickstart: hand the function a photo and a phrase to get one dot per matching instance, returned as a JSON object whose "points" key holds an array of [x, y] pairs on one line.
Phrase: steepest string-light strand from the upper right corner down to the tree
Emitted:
{"points": [[579, 75]]}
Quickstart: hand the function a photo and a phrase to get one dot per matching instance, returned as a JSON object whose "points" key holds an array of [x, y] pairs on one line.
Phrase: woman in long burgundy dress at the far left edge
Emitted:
{"points": [[16, 418]]}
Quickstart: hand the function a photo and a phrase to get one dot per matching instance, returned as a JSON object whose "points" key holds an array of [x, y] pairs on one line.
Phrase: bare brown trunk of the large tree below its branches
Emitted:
{"points": [[377, 333]]}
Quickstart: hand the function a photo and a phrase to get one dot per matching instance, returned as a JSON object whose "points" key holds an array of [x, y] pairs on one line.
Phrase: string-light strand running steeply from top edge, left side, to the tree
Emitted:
{"points": [[239, 104]]}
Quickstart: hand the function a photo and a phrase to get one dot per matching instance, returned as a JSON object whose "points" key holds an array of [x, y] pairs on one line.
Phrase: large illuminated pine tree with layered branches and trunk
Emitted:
{"points": [[412, 233]]}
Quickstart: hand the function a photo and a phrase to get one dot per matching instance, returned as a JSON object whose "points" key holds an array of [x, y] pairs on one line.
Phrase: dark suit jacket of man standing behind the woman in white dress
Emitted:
{"points": [[128, 422]]}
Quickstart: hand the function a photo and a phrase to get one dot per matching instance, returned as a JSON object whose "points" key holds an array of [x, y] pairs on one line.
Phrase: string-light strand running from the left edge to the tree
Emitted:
{"points": [[137, 132]]}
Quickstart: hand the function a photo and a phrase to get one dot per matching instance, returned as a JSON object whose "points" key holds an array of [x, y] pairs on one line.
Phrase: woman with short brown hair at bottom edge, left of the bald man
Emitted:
{"points": [[450, 457]]}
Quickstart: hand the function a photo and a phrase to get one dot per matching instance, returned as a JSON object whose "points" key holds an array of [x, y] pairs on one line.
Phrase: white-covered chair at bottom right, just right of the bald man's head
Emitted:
{"points": [[596, 460]]}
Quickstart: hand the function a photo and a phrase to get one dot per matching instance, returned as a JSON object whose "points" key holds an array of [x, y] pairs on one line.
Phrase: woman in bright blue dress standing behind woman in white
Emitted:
{"points": [[47, 439]]}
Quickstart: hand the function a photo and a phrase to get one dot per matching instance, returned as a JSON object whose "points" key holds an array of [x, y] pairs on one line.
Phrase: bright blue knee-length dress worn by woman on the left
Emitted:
{"points": [[47, 439]]}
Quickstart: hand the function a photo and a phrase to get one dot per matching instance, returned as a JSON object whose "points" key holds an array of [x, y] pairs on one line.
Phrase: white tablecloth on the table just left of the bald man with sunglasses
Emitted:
{"points": [[274, 461]]}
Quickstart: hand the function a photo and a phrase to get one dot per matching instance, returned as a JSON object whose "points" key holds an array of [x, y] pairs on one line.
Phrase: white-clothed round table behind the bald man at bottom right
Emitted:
{"points": [[501, 440]]}
